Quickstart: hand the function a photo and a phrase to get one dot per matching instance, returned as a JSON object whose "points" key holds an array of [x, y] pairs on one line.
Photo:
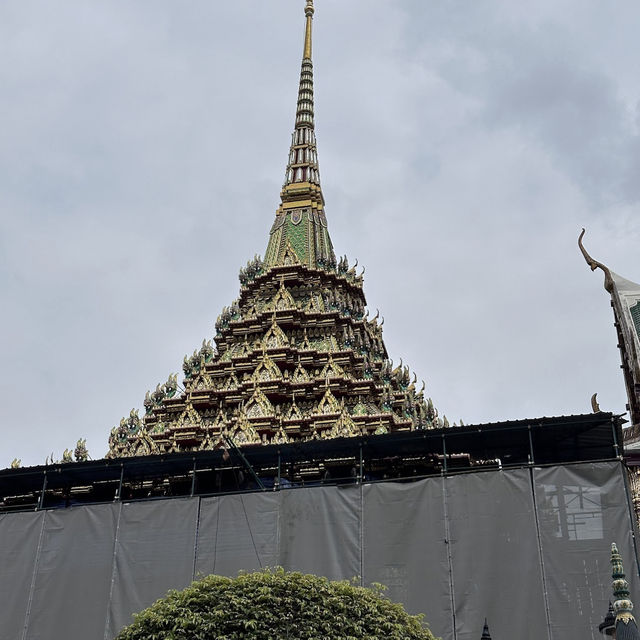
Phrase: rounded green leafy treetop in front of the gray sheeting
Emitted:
{"points": [[275, 605]]}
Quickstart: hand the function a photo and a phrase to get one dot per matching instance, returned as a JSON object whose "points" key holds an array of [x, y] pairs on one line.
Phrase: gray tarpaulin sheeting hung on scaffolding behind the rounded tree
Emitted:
{"points": [[526, 548]]}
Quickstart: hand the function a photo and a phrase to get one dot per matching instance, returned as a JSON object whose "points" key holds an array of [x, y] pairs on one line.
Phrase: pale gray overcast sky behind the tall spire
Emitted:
{"points": [[462, 147]]}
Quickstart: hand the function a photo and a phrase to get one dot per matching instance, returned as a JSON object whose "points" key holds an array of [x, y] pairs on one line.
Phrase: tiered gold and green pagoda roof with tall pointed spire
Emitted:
{"points": [[296, 356]]}
